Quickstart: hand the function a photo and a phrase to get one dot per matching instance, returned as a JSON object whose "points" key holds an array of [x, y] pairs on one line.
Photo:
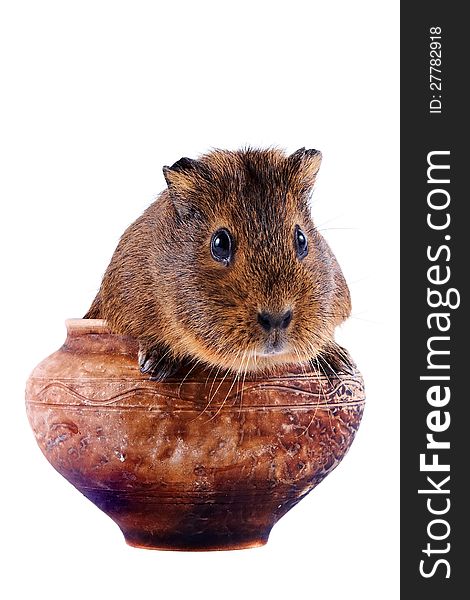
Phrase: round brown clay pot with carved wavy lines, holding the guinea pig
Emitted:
{"points": [[173, 469]]}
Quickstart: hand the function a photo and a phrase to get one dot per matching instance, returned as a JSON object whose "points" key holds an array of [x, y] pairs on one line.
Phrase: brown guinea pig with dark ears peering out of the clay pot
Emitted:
{"points": [[227, 268]]}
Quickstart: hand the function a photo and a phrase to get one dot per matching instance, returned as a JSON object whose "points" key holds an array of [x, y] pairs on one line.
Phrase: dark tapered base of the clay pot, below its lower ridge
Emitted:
{"points": [[178, 521]]}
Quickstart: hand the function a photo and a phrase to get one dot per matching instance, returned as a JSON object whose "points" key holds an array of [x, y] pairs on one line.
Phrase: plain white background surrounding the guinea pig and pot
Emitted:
{"points": [[97, 97]]}
